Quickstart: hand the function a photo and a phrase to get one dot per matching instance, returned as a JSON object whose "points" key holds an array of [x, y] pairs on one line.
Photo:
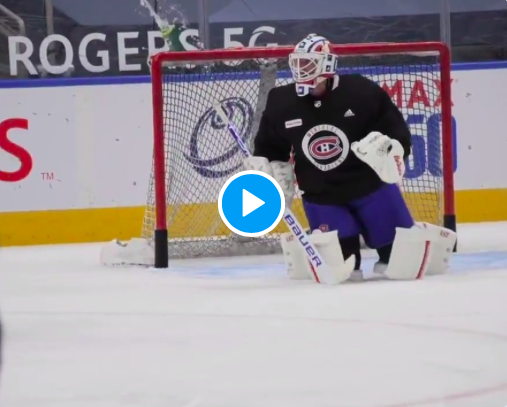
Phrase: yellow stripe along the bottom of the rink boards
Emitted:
{"points": [[103, 224]]}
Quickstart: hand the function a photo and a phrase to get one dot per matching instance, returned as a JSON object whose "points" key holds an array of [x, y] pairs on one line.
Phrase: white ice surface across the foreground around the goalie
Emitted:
{"points": [[236, 333]]}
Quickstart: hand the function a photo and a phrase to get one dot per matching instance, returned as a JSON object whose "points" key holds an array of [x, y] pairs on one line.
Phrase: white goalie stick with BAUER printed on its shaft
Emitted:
{"points": [[321, 272]]}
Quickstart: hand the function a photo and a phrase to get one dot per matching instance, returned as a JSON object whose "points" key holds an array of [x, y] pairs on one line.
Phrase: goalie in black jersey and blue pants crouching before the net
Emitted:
{"points": [[349, 142]]}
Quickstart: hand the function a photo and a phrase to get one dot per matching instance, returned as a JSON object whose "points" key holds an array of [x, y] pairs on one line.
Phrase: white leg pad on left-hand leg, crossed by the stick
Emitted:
{"points": [[329, 247]]}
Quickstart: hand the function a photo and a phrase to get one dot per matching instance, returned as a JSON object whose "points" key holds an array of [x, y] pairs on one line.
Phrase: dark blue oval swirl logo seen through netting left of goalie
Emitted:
{"points": [[212, 155]]}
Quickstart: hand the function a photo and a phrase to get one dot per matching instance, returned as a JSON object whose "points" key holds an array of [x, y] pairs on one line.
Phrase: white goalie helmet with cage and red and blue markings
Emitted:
{"points": [[311, 63]]}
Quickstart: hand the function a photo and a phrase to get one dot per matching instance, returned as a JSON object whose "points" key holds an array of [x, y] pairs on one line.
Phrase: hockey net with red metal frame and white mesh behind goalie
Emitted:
{"points": [[194, 154]]}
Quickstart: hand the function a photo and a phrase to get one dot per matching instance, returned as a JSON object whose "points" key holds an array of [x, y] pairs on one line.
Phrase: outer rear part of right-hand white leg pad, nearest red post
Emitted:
{"points": [[444, 241]]}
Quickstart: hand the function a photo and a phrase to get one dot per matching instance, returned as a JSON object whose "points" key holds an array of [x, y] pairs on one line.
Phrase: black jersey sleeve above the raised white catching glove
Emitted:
{"points": [[391, 122]]}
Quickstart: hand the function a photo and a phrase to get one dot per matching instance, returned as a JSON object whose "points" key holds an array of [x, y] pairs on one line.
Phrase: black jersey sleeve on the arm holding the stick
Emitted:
{"points": [[268, 142]]}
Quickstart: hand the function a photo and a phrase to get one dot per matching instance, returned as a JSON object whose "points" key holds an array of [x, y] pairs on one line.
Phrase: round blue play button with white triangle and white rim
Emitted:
{"points": [[251, 203]]}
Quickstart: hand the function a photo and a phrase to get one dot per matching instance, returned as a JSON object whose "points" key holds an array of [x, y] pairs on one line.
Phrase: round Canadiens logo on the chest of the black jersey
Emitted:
{"points": [[326, 146]]}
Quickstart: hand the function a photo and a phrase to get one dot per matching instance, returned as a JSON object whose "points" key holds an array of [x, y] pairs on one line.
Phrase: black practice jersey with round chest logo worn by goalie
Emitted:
{"points": [[320, 132]]}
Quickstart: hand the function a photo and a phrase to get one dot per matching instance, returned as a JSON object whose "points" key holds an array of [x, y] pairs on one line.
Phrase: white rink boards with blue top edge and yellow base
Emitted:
{"points": [[85, 169]]}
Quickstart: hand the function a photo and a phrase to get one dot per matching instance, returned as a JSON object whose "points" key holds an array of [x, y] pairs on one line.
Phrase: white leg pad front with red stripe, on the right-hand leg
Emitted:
{"points": [[410, 255]]}
